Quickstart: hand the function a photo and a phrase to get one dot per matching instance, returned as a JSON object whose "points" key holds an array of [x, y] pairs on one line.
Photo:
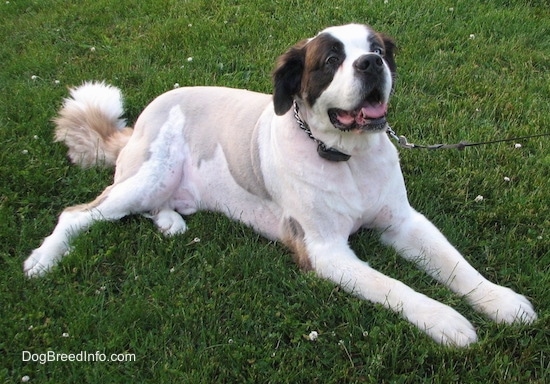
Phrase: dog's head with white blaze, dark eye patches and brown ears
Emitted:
{"points": [[341, 79]]}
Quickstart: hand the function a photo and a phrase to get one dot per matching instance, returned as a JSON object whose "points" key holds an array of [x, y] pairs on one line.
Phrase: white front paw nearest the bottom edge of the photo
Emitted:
{"points": [[441, 323]]}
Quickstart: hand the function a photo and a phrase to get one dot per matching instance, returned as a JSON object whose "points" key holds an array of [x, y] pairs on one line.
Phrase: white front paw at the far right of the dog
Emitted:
{"points": [[502, 304]]}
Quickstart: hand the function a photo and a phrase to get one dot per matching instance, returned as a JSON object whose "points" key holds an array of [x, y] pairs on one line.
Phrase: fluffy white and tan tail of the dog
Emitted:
{"points": [[90, 124]]}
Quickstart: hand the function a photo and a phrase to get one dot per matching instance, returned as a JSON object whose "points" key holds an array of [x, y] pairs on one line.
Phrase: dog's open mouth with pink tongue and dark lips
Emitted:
{"points": [[369, 116]]}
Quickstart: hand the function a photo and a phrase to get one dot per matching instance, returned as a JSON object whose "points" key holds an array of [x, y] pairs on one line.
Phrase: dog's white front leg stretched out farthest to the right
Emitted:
{"points": [[417, 239]]}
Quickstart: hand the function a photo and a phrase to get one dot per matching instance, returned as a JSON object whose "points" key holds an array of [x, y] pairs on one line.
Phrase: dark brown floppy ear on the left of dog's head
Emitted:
{"points": [[287, 77]]}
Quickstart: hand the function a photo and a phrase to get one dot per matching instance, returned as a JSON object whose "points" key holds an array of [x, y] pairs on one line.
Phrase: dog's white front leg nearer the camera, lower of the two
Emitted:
{"points": [[335, 261]]}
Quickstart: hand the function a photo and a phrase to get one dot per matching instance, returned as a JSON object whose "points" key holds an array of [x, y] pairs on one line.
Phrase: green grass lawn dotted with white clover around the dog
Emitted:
{"points": [[233, 307]]}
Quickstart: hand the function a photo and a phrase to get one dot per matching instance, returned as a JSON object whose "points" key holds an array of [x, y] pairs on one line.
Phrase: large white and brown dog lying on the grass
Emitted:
{"points": [[307, 166]]}
